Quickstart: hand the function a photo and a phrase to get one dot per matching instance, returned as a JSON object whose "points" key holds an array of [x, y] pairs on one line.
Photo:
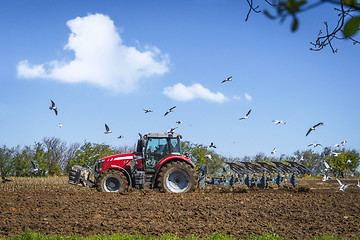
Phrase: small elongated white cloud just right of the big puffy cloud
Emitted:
{"points": [[183, 93]]}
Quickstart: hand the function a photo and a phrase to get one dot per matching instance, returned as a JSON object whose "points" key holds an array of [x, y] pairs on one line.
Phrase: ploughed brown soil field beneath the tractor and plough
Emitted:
{"points": [[51, 206]]}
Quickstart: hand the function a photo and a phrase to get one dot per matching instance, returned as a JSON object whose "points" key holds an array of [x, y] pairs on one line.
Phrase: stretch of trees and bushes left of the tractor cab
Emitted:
{"points": [[53, 157]]}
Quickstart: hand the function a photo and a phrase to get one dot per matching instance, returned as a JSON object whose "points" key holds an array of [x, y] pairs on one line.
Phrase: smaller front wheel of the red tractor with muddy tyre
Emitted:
{"points": [[112, 181]]}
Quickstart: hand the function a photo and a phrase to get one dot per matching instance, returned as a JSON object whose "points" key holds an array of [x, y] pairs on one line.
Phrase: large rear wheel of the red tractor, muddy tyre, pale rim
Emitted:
{"points": [[177, 177]]}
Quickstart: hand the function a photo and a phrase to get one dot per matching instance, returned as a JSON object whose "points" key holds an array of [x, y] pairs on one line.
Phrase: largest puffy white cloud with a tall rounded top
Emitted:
{"points": [[101, 58]]}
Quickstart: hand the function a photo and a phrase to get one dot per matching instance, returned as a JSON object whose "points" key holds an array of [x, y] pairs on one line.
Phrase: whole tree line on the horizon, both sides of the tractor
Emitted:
{"points": [[52, 156]]}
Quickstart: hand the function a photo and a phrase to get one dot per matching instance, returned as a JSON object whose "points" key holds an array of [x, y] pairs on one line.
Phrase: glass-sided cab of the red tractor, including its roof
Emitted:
{"points": [[158, 146]]}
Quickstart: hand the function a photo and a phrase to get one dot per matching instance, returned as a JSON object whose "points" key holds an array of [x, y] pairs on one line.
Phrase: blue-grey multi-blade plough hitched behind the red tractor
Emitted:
{"points": [[259, 174]]}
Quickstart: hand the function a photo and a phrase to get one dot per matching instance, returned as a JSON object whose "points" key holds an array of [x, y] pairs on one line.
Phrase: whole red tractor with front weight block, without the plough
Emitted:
{"points": [[157, 163]]}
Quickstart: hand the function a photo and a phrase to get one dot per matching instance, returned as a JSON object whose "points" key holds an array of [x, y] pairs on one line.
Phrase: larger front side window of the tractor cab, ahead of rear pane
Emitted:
{"points": [[156, 150]]}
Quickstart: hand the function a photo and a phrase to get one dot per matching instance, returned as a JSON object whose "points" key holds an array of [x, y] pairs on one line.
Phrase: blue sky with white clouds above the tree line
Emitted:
{"points": [[103, 62]]}
